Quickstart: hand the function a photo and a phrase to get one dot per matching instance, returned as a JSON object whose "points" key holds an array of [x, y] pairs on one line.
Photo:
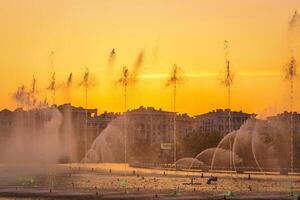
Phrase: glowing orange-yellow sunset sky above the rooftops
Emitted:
{"points": [[190, 33]]}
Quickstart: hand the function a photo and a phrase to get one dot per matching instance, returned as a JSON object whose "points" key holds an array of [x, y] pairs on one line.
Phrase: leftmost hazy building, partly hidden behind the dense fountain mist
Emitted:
{"points": [[82, 124]]}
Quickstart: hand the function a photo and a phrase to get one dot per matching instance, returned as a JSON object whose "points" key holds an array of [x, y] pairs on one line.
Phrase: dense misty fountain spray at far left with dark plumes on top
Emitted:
{"points": [[41, 137]]}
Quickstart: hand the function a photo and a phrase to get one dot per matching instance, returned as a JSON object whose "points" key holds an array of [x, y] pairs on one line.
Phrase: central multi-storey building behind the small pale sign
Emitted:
{"points": [[150, 129]]}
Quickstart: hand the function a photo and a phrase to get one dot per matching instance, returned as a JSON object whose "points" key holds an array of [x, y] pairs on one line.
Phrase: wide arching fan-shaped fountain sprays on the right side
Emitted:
{"points": [[248, 143]]}
